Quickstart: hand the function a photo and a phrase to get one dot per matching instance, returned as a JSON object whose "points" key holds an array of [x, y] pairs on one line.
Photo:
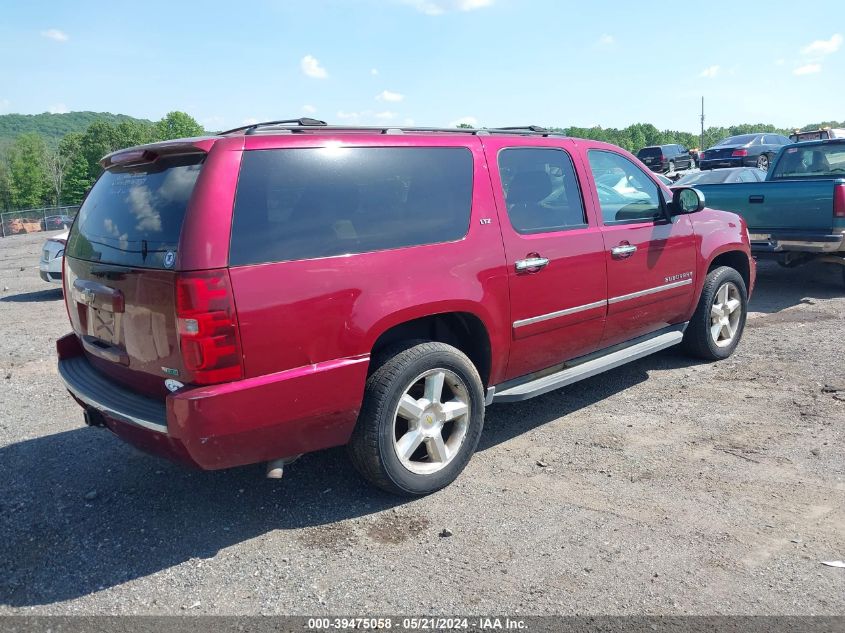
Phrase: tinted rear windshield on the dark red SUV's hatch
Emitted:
{"points": [[133, 215]]}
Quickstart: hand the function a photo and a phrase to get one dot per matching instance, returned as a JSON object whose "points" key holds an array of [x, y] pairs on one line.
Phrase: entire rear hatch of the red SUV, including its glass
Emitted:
{"points": [[119, 277]]}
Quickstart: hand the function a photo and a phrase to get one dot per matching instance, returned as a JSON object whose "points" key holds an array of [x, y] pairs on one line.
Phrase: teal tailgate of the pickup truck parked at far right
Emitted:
{"points": [[799, 205]]}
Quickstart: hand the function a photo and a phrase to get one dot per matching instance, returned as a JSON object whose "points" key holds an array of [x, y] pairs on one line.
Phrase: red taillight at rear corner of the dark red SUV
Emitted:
{"points": [[208, 327]]}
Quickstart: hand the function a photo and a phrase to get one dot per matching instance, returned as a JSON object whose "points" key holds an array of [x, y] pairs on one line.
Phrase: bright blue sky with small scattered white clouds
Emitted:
{"points": [[429, 62]]}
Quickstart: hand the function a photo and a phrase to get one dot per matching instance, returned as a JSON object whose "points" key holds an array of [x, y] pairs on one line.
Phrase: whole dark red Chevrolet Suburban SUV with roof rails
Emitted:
{"points": [[292, 286]]}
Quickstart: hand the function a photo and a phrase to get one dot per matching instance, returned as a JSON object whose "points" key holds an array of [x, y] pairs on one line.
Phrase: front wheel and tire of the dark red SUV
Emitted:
{"points": [[719, 320]]}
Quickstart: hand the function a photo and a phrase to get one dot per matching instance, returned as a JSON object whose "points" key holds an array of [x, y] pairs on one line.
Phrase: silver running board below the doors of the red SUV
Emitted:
{"points": [[586, 369]]}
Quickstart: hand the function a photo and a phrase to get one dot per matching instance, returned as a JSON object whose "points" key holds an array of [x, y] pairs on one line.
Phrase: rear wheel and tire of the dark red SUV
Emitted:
{"points": [[421, 420]]}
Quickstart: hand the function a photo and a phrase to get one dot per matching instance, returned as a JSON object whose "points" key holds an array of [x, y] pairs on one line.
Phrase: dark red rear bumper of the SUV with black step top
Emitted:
{"points": [[233, 424]]}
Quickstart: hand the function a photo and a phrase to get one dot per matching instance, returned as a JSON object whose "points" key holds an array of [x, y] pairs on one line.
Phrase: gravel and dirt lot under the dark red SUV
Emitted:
{"points": [[669, 487]]}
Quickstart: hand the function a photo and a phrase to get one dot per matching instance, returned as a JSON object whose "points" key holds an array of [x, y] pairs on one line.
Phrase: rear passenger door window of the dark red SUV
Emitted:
{"points": [[541, 189]]}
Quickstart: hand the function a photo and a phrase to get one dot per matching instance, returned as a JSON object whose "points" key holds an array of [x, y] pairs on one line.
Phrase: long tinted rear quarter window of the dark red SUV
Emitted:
{"points": [[305, 203]]}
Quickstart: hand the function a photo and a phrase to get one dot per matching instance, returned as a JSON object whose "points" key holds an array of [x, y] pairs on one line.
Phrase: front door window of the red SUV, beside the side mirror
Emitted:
{"points": [[626, 194]]}
